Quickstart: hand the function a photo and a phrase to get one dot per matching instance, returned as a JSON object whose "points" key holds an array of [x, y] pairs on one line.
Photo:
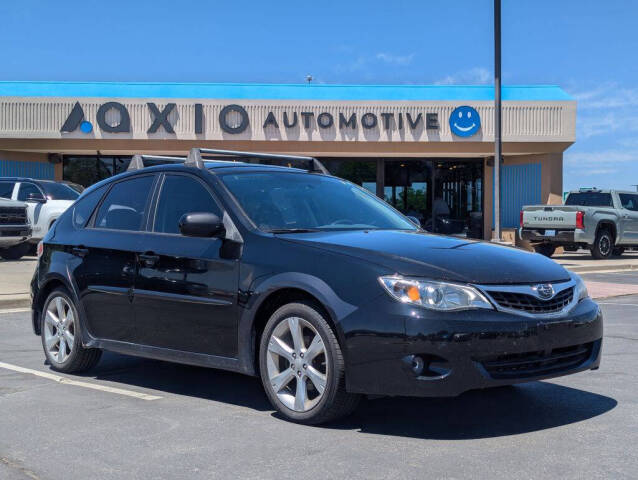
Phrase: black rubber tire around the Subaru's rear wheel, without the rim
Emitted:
{"points": [[79, 359]]}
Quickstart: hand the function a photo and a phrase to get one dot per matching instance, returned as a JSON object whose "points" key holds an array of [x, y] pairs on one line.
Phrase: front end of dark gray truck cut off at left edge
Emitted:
{"points": [[15, 229]]}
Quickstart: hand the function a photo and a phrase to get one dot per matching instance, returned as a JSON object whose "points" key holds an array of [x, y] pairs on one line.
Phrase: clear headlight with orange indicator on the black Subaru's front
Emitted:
{"points": [[441, 296]]}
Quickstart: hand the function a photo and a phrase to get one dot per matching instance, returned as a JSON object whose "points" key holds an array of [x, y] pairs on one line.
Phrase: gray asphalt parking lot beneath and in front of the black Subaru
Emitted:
{"points": [[173, 421]]}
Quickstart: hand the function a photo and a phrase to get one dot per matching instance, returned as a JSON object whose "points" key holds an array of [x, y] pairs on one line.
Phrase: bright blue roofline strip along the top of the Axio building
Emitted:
{"points": [[268, 91]]}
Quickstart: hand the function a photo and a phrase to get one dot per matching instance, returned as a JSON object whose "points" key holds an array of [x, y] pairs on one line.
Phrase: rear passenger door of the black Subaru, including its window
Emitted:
{"points": [[107, 250]]}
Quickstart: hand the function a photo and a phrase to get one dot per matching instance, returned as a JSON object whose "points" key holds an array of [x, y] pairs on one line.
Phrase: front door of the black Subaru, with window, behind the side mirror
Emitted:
{"points": [[185, 292]]}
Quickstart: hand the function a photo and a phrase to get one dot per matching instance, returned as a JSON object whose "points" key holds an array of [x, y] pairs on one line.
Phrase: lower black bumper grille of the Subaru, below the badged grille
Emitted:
{"points": [[538, 363]]}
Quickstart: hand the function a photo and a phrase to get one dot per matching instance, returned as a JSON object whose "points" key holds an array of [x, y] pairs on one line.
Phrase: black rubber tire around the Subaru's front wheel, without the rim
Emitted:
{"points": [[335, 402]]}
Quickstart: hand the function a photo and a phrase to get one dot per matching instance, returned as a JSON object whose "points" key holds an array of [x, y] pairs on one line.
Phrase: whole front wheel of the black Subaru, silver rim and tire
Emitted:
{"points": [[302, 367]]}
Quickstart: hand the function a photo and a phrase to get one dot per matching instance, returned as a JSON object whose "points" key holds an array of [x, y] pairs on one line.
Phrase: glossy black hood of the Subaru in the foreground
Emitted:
{"points": [[438, 257]]}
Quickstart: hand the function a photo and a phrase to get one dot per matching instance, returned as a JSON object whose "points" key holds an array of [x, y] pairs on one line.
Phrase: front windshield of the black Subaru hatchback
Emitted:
{"points": [[306, 202]]}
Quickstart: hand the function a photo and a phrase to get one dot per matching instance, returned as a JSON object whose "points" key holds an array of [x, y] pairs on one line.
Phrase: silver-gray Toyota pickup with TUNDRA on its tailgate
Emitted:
{"points": [[604, 221]]}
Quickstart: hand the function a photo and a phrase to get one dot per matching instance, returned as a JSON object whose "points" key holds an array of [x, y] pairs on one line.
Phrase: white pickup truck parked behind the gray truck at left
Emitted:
{"points": [[46, 200]]}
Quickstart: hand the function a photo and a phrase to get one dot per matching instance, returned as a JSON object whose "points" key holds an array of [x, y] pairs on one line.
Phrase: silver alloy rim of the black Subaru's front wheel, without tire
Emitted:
{"points": [[297, 364]]}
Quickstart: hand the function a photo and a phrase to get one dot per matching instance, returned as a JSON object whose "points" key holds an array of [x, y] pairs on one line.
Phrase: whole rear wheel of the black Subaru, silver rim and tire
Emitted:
{"points": [[60, 336]]}
